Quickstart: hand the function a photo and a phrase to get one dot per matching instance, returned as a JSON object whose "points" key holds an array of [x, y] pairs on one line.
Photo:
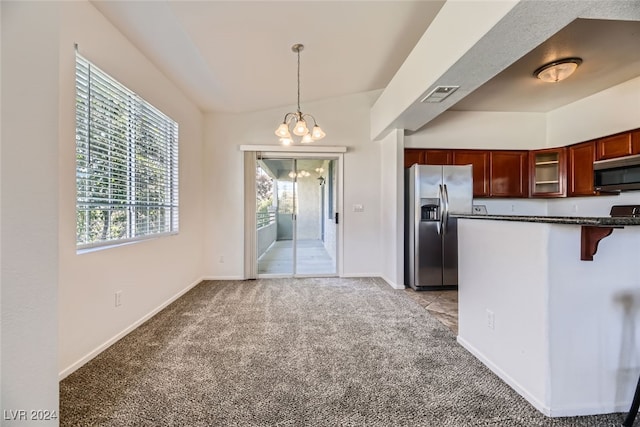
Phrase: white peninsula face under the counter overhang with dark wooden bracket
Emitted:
{"points": [[594, 363]]}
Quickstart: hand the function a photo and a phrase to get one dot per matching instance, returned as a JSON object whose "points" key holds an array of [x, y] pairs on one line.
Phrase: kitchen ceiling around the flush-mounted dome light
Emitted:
{"points": [[610, 50]]}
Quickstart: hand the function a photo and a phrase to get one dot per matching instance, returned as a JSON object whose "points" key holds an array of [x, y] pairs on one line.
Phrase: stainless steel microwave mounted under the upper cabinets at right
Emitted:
{"points": [[621, 174]]}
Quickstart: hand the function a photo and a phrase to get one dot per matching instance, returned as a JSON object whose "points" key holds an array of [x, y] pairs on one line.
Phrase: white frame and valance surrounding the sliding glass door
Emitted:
{"points": [[252, 153]]}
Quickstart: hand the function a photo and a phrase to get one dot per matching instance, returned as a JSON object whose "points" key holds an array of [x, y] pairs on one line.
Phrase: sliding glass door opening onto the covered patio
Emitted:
{"points": [[295, 216]]}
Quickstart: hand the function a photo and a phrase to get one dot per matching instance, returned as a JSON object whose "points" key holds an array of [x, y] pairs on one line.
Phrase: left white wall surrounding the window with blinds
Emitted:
{"points": [[148, 273]]}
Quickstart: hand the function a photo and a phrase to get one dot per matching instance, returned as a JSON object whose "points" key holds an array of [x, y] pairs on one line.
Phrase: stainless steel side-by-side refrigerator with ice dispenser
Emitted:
{"points": [[432, 195]]}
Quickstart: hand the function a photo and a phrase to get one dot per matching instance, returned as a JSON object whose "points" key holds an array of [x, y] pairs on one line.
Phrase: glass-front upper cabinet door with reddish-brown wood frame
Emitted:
{"points": [[547, 172]]}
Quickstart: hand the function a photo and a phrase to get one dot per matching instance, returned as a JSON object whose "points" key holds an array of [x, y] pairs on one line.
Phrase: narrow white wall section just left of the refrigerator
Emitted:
{"points": [[392, 208]]}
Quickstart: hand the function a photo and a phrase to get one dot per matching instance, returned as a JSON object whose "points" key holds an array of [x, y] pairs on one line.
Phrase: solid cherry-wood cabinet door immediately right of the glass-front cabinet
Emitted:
{"points": [[580, 169]]}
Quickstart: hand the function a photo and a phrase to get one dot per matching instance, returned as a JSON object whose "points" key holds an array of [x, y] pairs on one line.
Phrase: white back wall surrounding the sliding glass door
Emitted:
{"points": [[346, 122]]}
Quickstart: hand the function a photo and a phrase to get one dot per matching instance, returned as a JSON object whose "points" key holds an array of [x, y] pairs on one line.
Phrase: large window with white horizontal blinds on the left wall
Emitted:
{"points": [[126, 163]]}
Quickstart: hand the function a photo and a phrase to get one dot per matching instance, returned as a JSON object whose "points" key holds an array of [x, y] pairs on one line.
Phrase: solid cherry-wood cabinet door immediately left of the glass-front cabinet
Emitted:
{"points": [[508, 174]]}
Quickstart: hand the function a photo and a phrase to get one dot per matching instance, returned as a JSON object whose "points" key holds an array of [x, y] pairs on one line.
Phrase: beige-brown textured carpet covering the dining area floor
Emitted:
{"points": [[295, 352]]}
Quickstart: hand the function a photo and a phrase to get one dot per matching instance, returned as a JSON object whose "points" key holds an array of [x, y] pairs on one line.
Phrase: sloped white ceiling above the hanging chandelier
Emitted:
{"points": [[235, 56]]}
